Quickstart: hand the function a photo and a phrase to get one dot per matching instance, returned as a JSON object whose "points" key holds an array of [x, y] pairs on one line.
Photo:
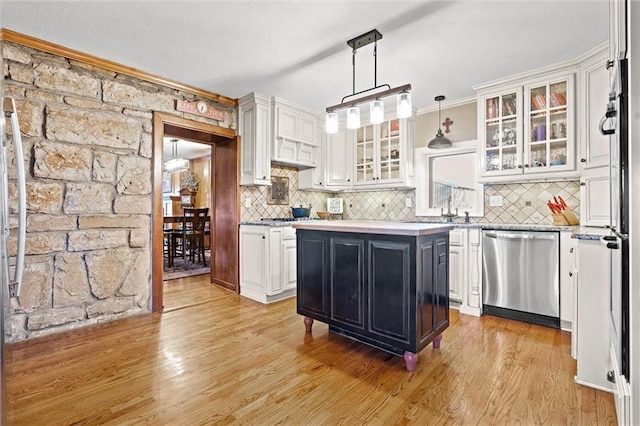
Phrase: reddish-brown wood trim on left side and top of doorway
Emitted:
{"points": [[160, 120]]}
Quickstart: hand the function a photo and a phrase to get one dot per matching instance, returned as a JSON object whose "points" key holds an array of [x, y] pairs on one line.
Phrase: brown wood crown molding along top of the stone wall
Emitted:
{"points": [[55, 49]]}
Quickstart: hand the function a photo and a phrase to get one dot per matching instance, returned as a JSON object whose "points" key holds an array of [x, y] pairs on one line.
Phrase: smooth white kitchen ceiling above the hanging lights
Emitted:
{"points": [[297, 49]]}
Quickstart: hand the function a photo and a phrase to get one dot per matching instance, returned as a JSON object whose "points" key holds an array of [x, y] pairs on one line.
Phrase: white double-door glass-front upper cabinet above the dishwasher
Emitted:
{"points": [[526, 127]]}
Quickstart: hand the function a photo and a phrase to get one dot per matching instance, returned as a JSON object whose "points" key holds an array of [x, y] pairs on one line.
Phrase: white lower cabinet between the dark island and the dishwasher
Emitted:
{"points": [[465, 270]]}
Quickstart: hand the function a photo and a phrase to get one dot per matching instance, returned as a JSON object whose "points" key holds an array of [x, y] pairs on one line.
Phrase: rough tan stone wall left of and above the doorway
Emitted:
{"points": [[87, 138]]}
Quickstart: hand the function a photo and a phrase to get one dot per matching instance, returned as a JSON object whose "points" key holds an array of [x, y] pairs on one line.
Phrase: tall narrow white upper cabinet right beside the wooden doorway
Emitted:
{"points": [[255, 131]]}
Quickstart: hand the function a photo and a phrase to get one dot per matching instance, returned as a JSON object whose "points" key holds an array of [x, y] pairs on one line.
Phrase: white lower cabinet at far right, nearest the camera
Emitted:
{"points": [[592, 316]]}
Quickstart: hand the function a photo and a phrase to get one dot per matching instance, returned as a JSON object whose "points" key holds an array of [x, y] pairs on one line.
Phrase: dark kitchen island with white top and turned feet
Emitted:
{"points": [[385, 284]]}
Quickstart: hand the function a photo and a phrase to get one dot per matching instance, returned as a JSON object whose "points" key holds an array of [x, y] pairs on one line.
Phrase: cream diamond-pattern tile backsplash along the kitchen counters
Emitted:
{"points": [[522, 203]]}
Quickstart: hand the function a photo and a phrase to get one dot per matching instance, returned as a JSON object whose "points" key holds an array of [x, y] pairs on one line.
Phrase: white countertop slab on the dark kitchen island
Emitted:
{"points": [[375, 227]]}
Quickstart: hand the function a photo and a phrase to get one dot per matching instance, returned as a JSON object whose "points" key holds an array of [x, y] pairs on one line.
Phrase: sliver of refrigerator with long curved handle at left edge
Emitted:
{"points": [[10, 278]]}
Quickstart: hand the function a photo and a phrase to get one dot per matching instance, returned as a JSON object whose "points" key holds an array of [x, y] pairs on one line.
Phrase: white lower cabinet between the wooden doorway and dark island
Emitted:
{"points": [[267, 262]]}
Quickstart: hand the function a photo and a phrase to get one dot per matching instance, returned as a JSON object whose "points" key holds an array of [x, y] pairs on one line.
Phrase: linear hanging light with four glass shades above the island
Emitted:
{"points": [[376, 108]]}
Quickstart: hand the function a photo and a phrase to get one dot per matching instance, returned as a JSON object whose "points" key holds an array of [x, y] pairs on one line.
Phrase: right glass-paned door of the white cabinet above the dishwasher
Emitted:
{"points": [[548, 145]]}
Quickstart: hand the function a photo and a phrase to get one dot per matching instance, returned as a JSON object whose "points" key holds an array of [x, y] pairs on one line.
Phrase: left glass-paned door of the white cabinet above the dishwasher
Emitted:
{"points": [[502, 139]]}
